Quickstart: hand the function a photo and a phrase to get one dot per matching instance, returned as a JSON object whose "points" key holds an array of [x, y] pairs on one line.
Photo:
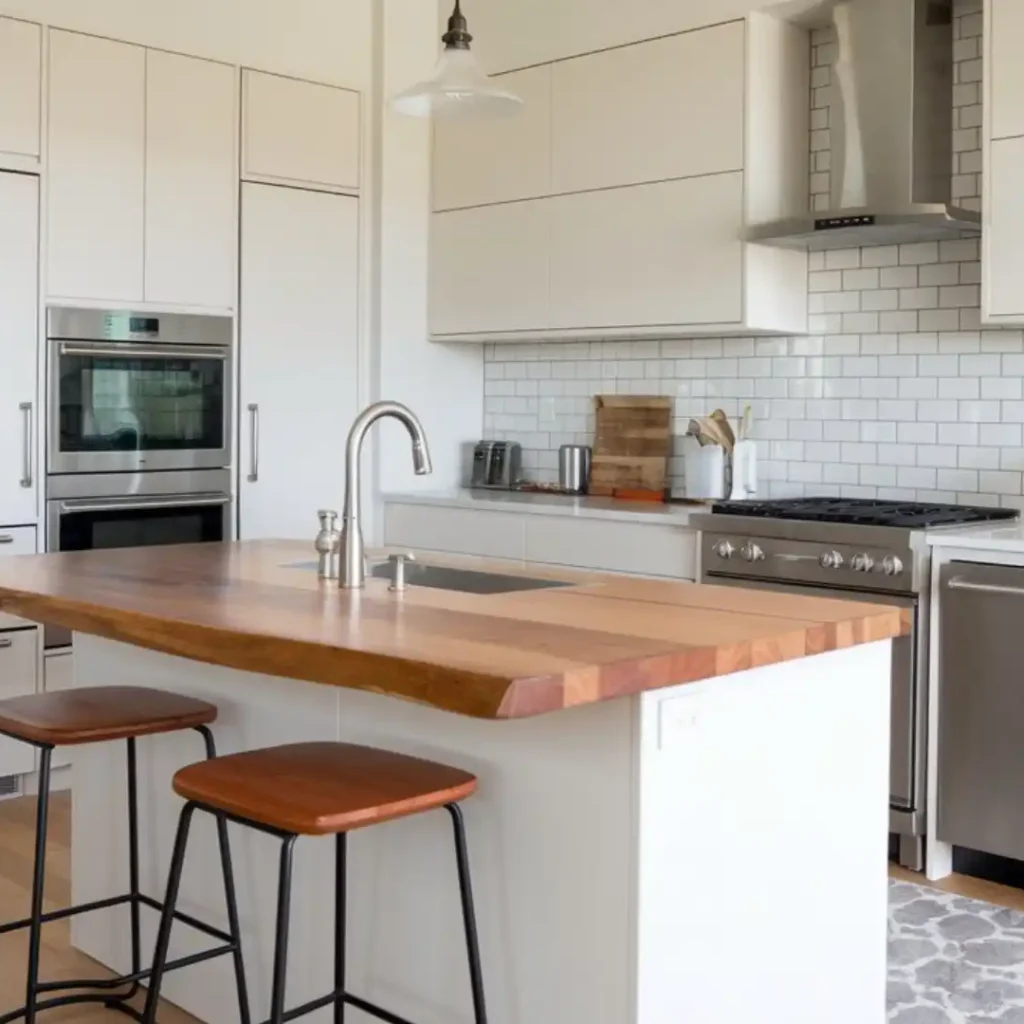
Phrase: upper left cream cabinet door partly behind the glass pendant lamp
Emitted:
{"points": [[482, 161]]}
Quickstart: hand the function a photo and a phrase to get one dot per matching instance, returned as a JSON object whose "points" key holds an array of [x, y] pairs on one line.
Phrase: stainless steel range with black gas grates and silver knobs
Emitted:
{"points": [[874, 551]]}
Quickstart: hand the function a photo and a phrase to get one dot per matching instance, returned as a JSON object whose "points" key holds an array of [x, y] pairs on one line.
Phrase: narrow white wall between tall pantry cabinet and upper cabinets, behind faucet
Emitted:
{"points": [[444, 385]]}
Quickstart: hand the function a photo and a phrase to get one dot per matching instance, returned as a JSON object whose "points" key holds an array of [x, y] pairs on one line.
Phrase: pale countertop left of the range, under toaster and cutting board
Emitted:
{"points": [[559, 505]]}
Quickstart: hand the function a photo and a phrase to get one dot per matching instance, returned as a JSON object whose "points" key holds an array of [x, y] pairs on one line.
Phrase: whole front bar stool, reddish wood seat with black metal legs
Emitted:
{"points": [[319, 790]]}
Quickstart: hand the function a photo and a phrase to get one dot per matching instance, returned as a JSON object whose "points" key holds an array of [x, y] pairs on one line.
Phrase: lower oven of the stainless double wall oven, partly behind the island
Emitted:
{"points": [[87, 524]]}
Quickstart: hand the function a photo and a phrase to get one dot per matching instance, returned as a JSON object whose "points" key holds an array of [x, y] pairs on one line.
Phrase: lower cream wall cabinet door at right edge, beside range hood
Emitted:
{"points": [[1004, 265]]}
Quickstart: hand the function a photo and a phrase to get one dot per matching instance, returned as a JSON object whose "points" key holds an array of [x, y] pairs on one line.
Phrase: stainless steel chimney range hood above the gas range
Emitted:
{"points": [[891, 126]]}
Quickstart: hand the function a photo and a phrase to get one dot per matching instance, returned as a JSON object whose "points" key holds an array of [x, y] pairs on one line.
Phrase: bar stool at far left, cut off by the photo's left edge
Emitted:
{"points": [[95, 715]]}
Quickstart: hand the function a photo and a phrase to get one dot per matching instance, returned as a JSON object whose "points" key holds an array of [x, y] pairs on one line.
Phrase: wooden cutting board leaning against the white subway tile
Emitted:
{"points": [[632, 444]]}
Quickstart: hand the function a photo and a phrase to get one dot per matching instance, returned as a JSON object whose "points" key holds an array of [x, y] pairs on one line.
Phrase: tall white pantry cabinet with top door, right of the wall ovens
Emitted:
{"points": [[300, 302]]}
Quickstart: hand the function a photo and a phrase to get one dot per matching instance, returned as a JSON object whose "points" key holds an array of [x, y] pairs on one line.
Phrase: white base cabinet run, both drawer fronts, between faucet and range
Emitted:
{"points": [[600, 545]]}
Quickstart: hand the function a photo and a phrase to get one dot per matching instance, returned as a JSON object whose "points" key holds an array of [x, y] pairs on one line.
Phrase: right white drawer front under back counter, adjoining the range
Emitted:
{"points": [[613, 547]]}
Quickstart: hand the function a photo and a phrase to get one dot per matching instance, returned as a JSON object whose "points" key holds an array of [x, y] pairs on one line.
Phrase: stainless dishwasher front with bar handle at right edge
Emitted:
{"points": [[982, 708]]}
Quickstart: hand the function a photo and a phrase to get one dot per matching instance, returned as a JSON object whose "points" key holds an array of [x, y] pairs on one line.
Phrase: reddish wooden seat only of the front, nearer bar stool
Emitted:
{"points": [[322, 789]]}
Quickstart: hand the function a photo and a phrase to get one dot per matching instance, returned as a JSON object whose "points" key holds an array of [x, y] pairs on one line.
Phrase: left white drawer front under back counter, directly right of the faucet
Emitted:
{"points": [[463, 532]]}
